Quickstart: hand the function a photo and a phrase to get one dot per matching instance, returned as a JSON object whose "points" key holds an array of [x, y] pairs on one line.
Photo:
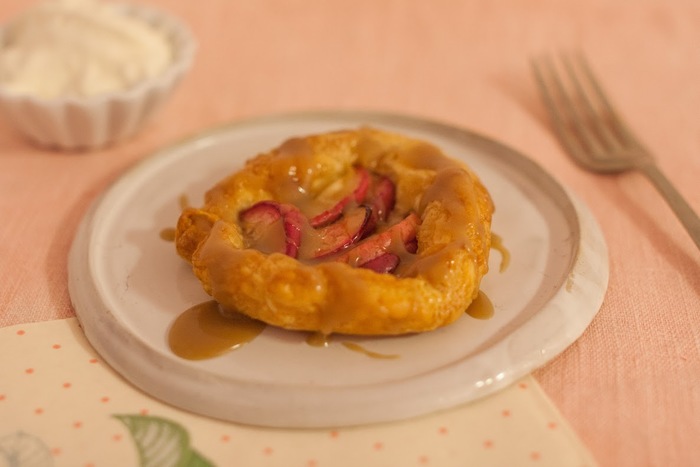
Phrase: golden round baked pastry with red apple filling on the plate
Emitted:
{"points": [[357, 232]]}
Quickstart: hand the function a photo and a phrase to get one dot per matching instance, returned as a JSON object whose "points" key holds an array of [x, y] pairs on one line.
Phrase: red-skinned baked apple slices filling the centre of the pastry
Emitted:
{"points": [[354, 230]]}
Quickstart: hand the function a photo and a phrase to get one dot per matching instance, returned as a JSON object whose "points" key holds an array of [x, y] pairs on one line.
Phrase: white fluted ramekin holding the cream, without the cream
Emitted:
{"points": [[91, 122]]}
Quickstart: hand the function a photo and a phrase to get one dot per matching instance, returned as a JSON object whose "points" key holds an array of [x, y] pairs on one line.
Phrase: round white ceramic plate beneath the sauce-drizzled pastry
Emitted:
{"points": [[128, 285]]}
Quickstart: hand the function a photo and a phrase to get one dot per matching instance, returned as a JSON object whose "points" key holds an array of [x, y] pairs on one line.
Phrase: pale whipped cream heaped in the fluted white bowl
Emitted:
{"points": [[66, 48]]}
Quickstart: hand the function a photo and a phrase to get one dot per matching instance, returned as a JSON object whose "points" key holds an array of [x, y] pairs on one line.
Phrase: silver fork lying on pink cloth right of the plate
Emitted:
{"points": [[594, 134]]}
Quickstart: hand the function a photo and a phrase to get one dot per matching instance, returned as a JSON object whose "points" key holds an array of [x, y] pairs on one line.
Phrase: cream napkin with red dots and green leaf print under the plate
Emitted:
{"points": [[61, 405]]}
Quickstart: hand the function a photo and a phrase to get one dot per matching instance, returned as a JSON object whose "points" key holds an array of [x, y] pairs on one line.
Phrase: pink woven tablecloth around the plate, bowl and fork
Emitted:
{"points": [[631, 385]]}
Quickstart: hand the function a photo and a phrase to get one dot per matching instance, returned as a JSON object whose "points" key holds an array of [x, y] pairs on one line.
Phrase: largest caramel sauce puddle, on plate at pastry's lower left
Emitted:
{"points": [[205, 331]]}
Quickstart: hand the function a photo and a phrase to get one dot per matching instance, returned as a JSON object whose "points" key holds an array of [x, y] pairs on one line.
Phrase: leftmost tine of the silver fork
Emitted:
{"points": [[571, 143]]}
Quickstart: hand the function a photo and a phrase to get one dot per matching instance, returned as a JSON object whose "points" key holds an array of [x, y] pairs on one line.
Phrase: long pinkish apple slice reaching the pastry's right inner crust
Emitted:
{"points": [[378, 244]]}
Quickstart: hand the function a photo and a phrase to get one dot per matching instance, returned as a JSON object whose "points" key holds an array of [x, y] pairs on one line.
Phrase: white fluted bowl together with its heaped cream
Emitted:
{"points": [[81, 74]]}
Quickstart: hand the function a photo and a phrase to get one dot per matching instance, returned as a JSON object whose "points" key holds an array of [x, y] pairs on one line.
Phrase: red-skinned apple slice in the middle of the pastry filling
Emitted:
{"points": [[347, 230]]}
